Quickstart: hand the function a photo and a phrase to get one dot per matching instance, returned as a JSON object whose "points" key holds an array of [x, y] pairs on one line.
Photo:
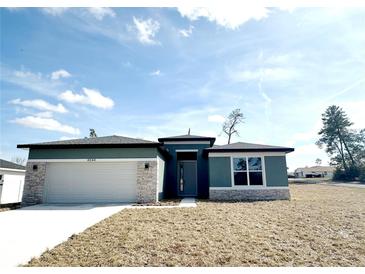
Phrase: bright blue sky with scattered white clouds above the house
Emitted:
{"points": [[156, 72]]}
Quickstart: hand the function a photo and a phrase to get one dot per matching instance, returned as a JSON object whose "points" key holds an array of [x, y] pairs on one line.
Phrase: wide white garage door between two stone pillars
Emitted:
{"points": [[91, 182]]}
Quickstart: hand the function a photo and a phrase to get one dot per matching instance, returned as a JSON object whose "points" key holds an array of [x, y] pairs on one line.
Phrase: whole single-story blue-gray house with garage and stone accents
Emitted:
{"points": [[122, 169]]}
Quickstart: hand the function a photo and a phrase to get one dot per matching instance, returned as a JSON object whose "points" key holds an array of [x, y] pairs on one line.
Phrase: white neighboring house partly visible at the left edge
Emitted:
{"points": [[11, 182]]}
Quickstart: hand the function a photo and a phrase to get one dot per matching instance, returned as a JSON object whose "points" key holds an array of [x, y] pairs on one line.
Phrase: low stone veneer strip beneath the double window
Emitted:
{"points": [[249, 194]]}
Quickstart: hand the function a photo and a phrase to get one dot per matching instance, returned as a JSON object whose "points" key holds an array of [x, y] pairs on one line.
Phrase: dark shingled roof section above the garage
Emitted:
{"points": [[106, 141]]}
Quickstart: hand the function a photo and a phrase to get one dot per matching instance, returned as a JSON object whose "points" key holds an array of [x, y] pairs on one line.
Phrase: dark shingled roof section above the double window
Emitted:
{"points": [[247, 147]]}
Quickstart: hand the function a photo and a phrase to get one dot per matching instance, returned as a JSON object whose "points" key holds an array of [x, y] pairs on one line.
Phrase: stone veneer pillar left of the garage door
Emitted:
{"points": [[34, 183]]}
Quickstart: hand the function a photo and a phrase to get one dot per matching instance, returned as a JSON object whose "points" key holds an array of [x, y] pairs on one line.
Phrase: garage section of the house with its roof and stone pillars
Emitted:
{"points": [[110, 169]]}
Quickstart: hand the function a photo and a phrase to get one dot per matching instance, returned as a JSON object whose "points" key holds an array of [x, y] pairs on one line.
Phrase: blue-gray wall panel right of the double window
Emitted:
{"points": [[276, 172]]}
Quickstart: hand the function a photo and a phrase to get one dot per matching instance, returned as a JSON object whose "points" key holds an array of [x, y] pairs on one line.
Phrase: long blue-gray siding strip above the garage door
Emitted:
{"points": [[92, 153]]}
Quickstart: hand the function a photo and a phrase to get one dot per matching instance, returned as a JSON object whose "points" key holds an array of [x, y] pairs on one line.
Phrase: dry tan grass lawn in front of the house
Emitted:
{"points": [[321, 226]]}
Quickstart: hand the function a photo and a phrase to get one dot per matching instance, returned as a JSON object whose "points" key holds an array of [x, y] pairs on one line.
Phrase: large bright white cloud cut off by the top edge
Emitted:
{"points": [[226, 15]]}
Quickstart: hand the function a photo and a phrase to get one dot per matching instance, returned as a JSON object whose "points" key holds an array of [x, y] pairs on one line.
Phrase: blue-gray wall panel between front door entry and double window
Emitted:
{"points": [[219, 171]]}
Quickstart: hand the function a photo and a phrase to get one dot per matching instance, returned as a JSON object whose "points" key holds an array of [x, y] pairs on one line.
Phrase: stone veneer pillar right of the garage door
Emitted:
{"points": [[147, 189]]}
